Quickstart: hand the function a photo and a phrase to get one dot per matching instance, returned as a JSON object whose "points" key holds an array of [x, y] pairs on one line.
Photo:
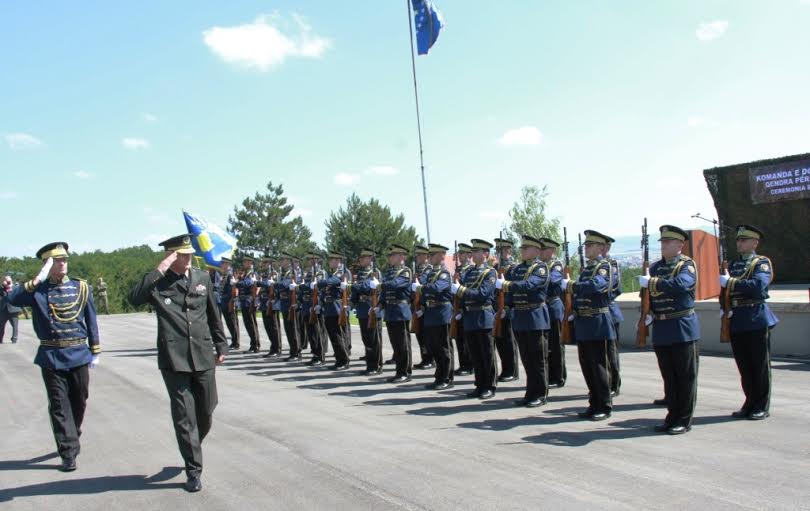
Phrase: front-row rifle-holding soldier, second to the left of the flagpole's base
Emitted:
{"points": [[368, 280]]}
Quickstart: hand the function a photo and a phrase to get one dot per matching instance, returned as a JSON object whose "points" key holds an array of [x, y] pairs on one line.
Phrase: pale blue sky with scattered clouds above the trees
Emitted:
{"points": [[115, 116]]}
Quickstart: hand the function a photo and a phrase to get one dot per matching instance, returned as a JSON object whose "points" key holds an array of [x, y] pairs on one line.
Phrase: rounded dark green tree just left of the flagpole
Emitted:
{"points": [[361, 224]]}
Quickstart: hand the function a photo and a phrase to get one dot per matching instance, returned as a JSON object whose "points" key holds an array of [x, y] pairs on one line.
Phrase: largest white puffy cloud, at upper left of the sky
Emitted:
{"points": [[262, 45]]}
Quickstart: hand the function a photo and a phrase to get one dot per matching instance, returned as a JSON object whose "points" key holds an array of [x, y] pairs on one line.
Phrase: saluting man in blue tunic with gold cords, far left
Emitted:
{"points": [[64, 320]]}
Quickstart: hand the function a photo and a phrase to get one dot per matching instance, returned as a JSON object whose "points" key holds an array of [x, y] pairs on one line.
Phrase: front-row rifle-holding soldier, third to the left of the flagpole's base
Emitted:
{"points": [[331, 287]]}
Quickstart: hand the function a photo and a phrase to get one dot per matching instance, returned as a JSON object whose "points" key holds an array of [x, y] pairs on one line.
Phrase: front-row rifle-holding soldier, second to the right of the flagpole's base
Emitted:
{"points": [[477, 290]]}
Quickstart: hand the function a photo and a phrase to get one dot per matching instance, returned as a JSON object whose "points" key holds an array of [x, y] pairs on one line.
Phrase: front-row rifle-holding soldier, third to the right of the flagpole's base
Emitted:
{"points": [[526, 287]]}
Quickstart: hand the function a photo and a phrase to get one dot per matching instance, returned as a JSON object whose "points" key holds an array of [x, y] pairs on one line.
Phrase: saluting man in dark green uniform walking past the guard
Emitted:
{"points": [[189, 330]]}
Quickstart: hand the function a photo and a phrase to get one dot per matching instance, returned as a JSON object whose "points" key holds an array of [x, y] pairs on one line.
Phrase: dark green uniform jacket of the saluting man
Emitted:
{"points": [[188, 321]]}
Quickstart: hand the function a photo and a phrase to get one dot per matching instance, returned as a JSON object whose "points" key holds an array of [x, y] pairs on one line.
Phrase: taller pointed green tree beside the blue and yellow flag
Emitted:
{"points": [[263, 223]]}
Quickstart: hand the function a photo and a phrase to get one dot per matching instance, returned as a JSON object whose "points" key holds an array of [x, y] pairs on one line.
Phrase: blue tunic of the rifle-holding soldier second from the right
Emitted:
{"points": [[672, 301]]}
